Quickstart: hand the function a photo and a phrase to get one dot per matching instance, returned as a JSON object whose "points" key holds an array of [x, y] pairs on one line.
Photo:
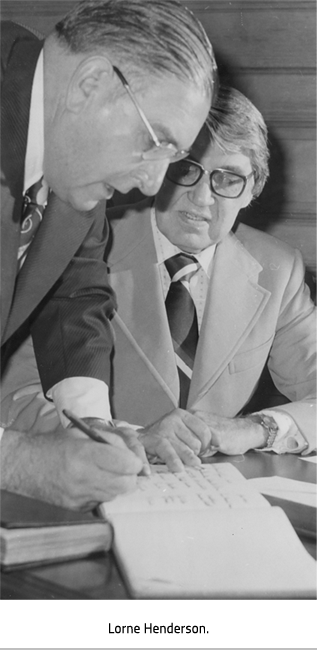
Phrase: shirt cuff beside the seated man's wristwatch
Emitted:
{"points": [[289, 439]]}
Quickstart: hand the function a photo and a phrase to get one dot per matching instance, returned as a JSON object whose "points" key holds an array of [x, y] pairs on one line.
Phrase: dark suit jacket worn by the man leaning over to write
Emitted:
{"points": [[62, 290]]}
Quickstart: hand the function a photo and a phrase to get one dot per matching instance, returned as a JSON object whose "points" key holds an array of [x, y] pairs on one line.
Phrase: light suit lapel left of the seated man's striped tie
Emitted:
{"points": [[141, 308]]}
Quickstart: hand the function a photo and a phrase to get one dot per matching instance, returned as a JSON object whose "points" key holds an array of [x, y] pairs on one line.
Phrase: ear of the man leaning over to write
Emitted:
{"points": [[93, 79]]}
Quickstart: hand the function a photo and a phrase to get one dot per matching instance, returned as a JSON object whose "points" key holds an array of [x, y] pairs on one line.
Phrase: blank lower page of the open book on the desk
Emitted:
{"points": [[250, 553]]}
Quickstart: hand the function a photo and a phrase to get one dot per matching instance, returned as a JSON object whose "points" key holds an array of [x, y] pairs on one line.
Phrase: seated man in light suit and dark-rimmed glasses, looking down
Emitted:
{"points": [[196, 332]]}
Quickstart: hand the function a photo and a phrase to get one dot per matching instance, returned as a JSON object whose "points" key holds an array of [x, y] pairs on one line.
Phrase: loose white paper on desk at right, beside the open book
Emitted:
{"points": [[299, 492]]}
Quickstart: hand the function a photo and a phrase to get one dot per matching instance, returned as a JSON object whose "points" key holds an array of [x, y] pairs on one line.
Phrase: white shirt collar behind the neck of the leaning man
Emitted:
{"points": [[34, 159]]}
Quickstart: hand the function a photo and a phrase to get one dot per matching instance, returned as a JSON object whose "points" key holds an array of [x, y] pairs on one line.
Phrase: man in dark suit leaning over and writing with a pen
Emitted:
{"points": [[114, 94]]}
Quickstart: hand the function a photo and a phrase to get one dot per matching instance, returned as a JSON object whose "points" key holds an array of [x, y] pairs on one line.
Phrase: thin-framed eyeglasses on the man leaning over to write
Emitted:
{"points": [[161, 149]]}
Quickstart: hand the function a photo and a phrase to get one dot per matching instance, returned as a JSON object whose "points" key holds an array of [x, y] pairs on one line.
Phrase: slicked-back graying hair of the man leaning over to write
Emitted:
{"points": [[146, 36]]}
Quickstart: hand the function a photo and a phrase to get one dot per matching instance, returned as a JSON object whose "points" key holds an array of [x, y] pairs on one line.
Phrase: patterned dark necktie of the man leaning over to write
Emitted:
{"points": [[34, 203]]}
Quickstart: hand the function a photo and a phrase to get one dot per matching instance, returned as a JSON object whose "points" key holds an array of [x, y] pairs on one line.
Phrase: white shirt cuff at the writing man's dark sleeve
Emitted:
{"points": [[82, 396]]}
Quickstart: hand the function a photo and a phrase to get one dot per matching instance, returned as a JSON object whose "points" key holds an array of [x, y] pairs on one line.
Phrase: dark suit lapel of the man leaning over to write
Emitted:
{"points": [[48, 256]]}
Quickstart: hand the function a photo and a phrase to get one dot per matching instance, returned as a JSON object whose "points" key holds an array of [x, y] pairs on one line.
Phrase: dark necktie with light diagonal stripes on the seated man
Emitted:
{"points": [[182, 318]]}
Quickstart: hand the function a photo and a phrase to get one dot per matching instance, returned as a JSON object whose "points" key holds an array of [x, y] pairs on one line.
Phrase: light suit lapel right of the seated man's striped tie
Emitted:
{"points": [[234, 303]]}
